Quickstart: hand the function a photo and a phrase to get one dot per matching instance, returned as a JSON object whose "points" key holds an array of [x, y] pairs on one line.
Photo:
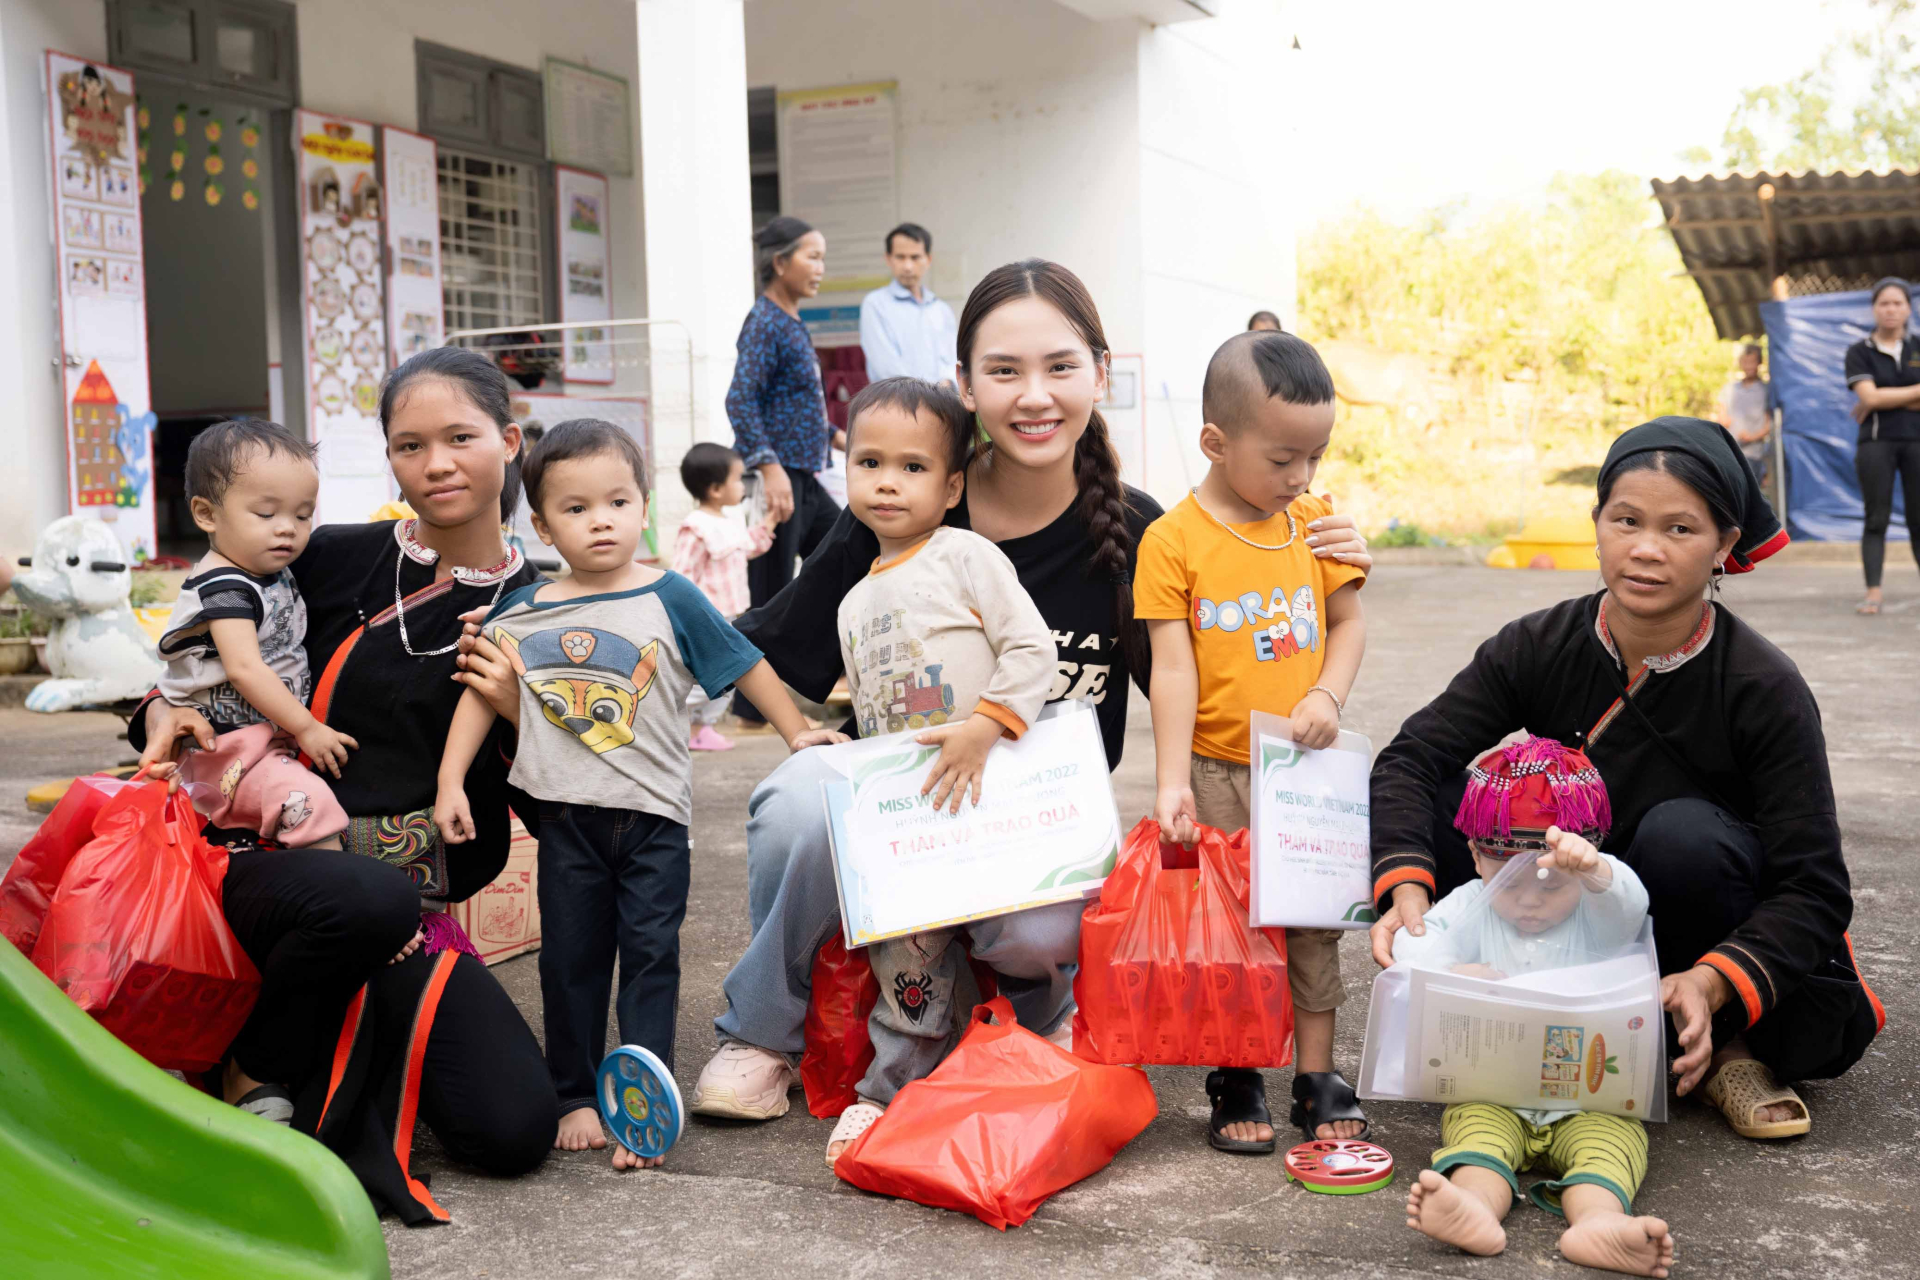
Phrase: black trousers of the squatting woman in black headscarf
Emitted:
{"points": [[1702, 868]]}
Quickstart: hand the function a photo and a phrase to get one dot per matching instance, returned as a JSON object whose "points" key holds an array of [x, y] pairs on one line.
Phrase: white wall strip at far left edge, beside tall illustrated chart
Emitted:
{"points": [[34, 481]]}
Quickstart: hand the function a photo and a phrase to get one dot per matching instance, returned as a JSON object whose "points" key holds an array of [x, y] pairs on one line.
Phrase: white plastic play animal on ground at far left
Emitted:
{"points": [[97, 650]]}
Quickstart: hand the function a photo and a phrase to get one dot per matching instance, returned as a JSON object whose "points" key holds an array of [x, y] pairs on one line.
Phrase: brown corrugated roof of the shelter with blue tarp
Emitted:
{"points": [[1821, 231]]}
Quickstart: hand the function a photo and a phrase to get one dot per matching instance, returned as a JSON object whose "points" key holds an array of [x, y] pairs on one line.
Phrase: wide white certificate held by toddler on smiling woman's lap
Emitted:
{"points": [[1045, 830]]}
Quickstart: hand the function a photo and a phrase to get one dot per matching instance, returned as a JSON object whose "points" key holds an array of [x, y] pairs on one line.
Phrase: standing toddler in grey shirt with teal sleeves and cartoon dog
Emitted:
{"points": [[606, 661]]}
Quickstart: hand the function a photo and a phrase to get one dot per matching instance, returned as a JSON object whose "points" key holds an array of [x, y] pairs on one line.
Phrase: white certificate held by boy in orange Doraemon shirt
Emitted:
{"points": [[1312, 859]]}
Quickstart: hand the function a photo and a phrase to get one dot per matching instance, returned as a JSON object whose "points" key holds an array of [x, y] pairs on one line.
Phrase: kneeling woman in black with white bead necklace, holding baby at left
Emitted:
{"points": [[358, 1039]]}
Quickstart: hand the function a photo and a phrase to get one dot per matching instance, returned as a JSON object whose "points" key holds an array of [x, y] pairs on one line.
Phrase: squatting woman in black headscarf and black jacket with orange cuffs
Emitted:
{"points": [[1716, 763]]}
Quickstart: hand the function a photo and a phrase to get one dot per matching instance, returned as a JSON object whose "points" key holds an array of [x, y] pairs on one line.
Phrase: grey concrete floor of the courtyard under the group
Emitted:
{"points": [[757, 1198]]}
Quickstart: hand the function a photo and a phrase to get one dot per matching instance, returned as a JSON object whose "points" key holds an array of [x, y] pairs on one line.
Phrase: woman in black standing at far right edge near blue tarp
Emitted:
{"points": [[1884, 377]]}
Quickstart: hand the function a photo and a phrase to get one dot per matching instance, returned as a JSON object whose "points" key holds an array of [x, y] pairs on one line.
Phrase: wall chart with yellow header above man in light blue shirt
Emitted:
{"points": [[838, 172]]}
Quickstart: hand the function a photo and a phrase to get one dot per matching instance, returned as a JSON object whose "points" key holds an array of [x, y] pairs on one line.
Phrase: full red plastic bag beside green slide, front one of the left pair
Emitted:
{"points": [[135, 934]]}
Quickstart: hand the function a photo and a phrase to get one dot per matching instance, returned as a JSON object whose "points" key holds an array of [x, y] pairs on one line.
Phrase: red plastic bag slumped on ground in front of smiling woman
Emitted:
{"points": [[1001, 1126]]}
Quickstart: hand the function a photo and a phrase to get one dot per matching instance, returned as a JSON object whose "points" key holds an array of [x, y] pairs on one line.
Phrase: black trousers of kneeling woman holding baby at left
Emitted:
{"points": [[320, 924]]}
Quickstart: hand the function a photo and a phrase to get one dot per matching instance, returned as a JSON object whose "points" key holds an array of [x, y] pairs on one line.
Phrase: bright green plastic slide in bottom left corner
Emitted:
{"points": [[112, 1168]]}
